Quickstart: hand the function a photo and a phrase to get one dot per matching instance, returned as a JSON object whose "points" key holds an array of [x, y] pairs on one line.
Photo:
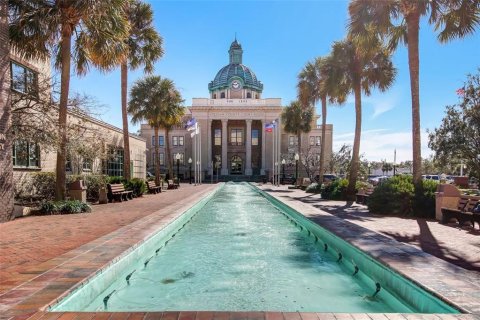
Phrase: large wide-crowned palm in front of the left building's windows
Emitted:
{"points": [[95, 28]]}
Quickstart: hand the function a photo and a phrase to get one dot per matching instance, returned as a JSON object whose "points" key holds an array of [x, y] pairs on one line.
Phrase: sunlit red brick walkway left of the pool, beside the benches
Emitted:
{"points": [[27, 242]]}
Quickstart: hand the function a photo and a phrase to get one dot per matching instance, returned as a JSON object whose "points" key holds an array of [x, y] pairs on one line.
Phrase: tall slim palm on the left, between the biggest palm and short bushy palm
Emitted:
{"points": [[144, 47]]}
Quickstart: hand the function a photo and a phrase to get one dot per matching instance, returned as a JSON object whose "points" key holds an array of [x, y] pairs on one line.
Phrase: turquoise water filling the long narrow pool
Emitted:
{"points": [[240, 253]]}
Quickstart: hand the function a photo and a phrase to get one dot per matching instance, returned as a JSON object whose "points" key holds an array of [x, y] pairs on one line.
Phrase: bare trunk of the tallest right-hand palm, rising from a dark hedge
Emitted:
{"points": [[413, 25]]}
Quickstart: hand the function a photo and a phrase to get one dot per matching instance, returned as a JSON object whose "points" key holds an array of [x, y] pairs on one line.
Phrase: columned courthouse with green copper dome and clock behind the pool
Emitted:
{"points": [[232, 124]]}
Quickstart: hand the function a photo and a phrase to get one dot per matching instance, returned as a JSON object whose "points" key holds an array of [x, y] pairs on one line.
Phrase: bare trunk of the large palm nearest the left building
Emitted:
{"points": [[62, 118]]}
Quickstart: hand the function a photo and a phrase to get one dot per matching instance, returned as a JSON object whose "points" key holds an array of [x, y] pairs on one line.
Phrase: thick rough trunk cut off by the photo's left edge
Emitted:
{"points": [[6, 166]]}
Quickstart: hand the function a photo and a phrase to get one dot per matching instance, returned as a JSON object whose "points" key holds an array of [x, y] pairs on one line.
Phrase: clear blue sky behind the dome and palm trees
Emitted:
{"points": [[278, 38]]}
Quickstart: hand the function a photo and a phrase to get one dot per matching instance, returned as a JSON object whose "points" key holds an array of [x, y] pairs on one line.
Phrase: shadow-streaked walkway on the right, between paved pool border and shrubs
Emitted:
{"points": [[452, 244]]}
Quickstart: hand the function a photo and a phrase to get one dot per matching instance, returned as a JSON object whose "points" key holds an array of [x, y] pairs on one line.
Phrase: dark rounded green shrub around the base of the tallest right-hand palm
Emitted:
{"points": [[396, 196]]}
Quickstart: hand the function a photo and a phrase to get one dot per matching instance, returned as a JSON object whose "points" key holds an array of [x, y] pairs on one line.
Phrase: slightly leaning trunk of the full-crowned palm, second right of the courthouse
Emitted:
{"points": [[355, 164]]}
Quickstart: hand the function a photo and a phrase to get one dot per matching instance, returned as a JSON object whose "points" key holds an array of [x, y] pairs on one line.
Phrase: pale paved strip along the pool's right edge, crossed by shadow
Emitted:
{"points": [[450, 283]]}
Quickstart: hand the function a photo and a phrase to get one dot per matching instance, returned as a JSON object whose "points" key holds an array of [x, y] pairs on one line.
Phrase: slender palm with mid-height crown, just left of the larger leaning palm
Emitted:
{"points": [[311, 89]]}
